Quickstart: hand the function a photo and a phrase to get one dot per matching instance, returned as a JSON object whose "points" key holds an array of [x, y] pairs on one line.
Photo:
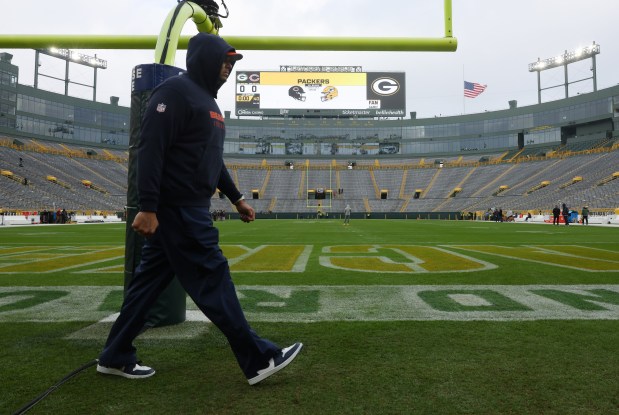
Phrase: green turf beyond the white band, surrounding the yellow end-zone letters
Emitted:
{"points": [[362, 232]]}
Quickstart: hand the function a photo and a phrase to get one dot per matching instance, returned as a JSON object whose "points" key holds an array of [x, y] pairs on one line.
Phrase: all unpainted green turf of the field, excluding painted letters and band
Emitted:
{"points": [[348, 367]]}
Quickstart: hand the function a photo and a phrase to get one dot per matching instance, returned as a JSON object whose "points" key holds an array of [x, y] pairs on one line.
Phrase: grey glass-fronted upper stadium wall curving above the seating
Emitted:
{"points": [[33, 113]]}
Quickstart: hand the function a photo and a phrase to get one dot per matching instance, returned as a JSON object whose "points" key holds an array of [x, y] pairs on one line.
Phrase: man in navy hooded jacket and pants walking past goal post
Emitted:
{"points": [[180, 165]]}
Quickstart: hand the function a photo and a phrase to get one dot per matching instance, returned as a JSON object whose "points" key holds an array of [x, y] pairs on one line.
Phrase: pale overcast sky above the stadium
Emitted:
{"points": [[497, 39]]}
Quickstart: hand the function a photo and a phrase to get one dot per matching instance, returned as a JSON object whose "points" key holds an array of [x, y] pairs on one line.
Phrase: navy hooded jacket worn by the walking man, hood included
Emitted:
{"points": [[180, 154]]}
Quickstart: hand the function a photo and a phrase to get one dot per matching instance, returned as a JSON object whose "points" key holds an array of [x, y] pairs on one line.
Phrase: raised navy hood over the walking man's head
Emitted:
{"points": [[205, 55]]}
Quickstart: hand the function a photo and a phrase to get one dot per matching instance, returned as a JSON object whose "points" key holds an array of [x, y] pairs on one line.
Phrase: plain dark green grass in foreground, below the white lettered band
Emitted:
{"points": [[393, 368]]}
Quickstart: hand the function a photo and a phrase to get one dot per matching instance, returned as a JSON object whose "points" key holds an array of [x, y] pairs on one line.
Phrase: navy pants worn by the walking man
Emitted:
{"points": [[186, 245]]}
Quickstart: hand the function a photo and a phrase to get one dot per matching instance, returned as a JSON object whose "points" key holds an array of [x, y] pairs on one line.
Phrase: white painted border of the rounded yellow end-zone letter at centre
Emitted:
{"points": [[415, 264]]}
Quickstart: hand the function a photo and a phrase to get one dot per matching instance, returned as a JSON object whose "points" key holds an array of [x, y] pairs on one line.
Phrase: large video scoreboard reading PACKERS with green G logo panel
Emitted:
{"points": [[364, 94]]}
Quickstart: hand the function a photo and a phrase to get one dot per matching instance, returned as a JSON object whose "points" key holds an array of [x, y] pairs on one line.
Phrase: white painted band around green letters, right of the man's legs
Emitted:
{"points": [[389, 303]]}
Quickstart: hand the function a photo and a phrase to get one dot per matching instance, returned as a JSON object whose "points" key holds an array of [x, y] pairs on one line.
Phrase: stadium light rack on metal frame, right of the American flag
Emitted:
{"points": [[582, 53]]}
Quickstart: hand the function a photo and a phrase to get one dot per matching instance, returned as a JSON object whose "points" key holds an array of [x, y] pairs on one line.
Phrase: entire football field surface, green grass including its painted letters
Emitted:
{"points": [[397, 317]]}
